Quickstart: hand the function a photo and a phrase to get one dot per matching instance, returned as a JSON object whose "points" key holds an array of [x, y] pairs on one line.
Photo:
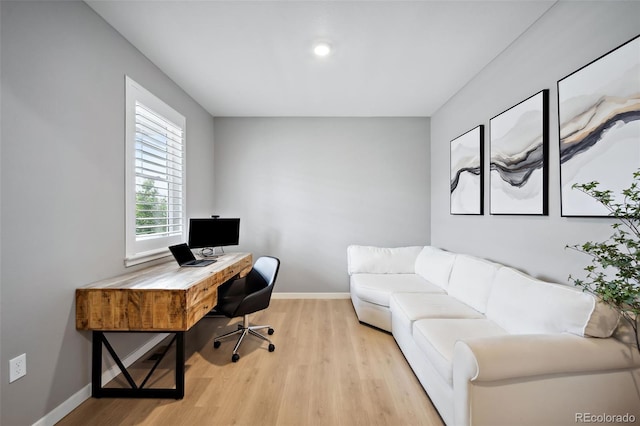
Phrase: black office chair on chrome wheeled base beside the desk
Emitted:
{"points": [[245, 296]]}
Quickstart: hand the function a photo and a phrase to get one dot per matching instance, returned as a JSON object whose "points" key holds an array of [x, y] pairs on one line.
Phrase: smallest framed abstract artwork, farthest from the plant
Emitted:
{"points": [[467, 183]]}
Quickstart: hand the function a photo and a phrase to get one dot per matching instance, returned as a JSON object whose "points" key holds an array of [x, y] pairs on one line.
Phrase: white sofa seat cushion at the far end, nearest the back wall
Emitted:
{"points": [[377, 288]]}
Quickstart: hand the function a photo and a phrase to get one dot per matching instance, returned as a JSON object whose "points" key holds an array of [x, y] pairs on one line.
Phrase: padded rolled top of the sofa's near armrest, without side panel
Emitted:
{"points": [[516, 356]]}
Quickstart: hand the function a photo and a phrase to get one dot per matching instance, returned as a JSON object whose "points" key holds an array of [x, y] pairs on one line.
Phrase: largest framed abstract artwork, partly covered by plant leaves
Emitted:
{"points": [[599, 128]]}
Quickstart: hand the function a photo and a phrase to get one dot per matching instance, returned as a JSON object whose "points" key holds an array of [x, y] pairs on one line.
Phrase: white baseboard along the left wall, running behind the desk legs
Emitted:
{"points": [[58, 413]]}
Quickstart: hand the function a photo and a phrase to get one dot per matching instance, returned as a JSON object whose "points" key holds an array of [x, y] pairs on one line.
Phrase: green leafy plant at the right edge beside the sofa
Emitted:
{"points": [[614, 272]]}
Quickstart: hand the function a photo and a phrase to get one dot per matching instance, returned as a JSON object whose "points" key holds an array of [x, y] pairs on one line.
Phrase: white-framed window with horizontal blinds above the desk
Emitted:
{"points": [[155, 176]]}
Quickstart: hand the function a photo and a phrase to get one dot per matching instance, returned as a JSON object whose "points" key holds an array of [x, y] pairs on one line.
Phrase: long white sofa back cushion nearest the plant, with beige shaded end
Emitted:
{"points": [[521, 305]]}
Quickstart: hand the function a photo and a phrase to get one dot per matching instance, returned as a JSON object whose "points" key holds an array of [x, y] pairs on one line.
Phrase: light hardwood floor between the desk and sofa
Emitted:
{"points": [[327, 369]]}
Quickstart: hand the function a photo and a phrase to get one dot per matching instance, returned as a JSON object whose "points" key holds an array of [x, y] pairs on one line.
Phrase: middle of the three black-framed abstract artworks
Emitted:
{"points": [[519, 151]]}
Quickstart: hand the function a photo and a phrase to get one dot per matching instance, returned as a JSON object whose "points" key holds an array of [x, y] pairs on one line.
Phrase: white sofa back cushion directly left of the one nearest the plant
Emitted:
{"points": [[471, 280]]}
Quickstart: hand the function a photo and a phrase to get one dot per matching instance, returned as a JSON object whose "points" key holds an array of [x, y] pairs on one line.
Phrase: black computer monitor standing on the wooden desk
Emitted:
{"points": [[211, 233]]}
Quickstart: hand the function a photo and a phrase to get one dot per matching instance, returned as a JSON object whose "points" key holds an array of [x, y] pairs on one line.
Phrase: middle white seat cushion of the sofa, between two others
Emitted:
{"points": [[409, 307]]}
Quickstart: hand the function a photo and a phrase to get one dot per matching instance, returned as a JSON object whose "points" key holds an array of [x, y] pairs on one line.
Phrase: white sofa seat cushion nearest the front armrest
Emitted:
{"points": [[437, 339]]}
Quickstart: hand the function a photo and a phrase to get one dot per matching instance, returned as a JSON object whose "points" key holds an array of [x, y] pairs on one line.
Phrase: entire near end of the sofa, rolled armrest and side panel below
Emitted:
{"points": [[526, 373]]}
